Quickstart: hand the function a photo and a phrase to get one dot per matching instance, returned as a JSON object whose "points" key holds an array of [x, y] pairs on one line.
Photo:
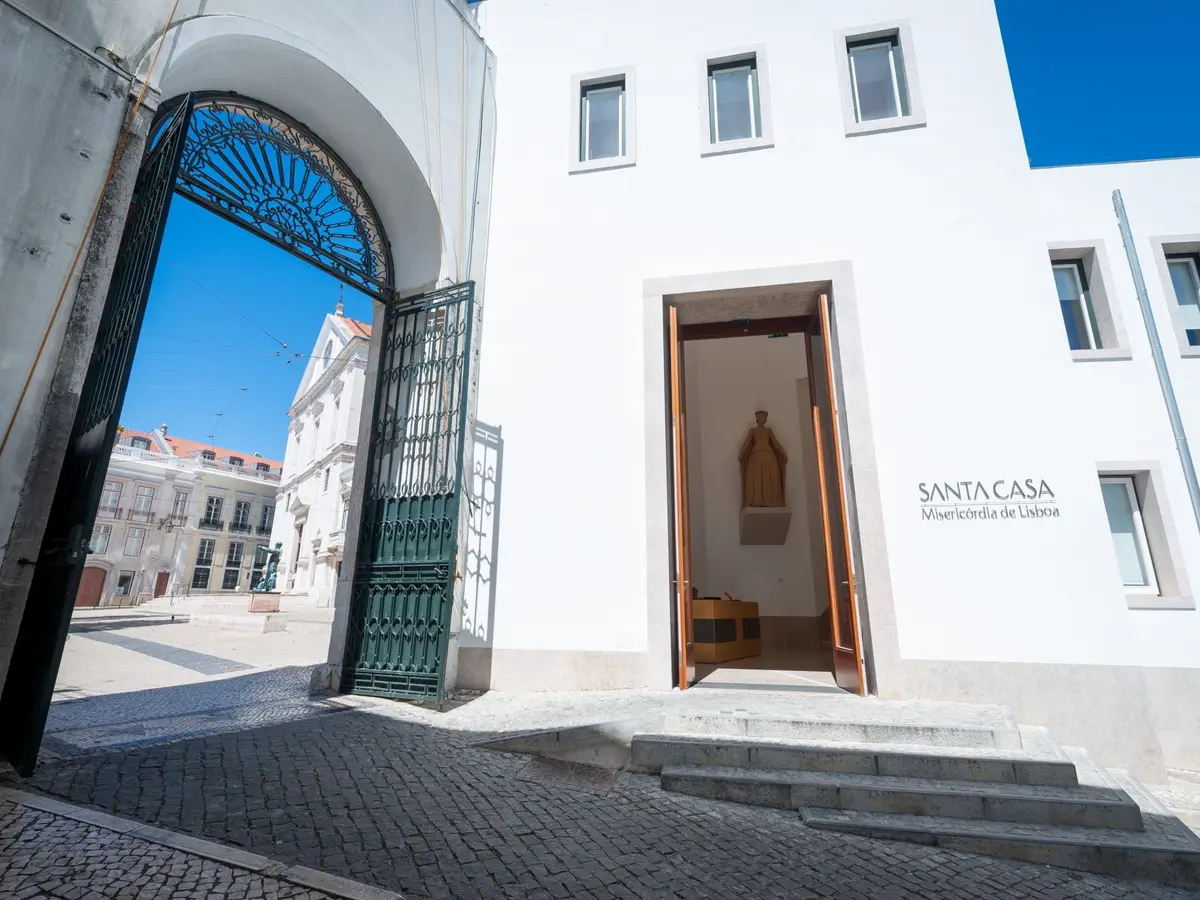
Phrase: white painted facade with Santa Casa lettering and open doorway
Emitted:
{"points": [[934, 241]]}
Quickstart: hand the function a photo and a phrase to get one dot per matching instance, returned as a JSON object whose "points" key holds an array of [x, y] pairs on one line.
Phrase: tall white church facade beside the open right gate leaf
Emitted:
{"points": [[319, 465]]}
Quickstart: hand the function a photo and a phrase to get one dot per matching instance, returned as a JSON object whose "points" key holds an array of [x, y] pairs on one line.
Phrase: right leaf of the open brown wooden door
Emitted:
{"points": [[848, 659]]}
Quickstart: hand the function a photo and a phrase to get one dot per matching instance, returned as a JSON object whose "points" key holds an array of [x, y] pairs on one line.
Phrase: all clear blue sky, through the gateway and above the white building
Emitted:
{"points": [[1096, 81]]}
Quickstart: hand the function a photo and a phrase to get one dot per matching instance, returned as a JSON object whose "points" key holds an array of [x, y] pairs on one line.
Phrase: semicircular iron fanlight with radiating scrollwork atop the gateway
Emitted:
{"points": [[262, 170]]}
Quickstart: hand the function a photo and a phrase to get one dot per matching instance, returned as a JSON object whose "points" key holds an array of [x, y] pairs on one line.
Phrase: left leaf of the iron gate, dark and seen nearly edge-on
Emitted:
{"points": [[59, 566]]}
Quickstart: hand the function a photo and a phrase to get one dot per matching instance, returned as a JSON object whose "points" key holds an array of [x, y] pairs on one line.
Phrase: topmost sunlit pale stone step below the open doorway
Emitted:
{"points": [[847, 730]]}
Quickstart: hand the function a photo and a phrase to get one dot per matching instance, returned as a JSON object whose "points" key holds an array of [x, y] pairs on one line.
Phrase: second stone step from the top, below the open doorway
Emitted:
{"points": [[652, 753]]}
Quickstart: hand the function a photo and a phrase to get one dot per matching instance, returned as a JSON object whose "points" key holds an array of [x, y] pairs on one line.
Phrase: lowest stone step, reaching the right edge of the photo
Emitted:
{"points": [[1154, 855]]}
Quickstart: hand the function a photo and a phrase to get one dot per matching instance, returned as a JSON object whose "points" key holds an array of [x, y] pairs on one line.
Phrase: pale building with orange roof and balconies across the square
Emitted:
{"points": [[178, 517]]}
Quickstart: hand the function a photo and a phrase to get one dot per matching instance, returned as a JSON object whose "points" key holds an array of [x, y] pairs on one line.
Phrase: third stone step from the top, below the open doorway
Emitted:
{"points": [[1084, 807]]}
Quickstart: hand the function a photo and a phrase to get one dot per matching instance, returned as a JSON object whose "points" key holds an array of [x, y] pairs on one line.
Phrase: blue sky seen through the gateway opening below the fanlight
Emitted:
{"points": [[196, 355]]}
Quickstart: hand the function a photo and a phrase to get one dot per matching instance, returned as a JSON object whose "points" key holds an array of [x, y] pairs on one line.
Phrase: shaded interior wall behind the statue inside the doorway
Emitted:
{"points": [[727, 382]]}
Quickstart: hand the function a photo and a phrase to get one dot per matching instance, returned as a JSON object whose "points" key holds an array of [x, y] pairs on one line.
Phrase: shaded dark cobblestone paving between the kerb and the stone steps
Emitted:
{"points": [[416, 809]]}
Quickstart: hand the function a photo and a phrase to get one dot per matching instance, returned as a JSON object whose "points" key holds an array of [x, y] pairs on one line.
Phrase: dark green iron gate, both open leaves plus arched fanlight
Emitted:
{"points": [[257, 167]]}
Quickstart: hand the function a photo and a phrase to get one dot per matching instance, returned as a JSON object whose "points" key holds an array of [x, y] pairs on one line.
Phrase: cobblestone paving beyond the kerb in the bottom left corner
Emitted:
{"points": [[49, 856]]}
